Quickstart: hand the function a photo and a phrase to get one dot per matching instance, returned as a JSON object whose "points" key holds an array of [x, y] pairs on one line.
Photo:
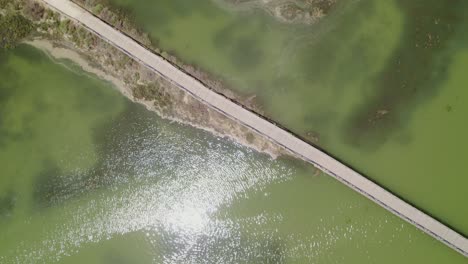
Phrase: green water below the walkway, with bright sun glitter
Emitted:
{"points": [[89, 177]]}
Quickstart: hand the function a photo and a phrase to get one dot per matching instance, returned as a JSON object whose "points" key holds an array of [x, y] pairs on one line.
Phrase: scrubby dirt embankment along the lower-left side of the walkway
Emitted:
{"points": [[65, 39]]}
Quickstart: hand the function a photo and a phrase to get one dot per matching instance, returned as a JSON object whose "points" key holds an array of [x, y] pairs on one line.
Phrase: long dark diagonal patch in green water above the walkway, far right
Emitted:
{"points": [[412, 75]]}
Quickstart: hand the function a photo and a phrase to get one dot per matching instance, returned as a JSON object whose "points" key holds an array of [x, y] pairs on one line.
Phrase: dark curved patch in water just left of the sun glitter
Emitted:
{"points": [[119, 143]]}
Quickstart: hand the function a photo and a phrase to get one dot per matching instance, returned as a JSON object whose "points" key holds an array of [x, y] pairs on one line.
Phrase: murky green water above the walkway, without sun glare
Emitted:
{"points": [[403, 59]]}
